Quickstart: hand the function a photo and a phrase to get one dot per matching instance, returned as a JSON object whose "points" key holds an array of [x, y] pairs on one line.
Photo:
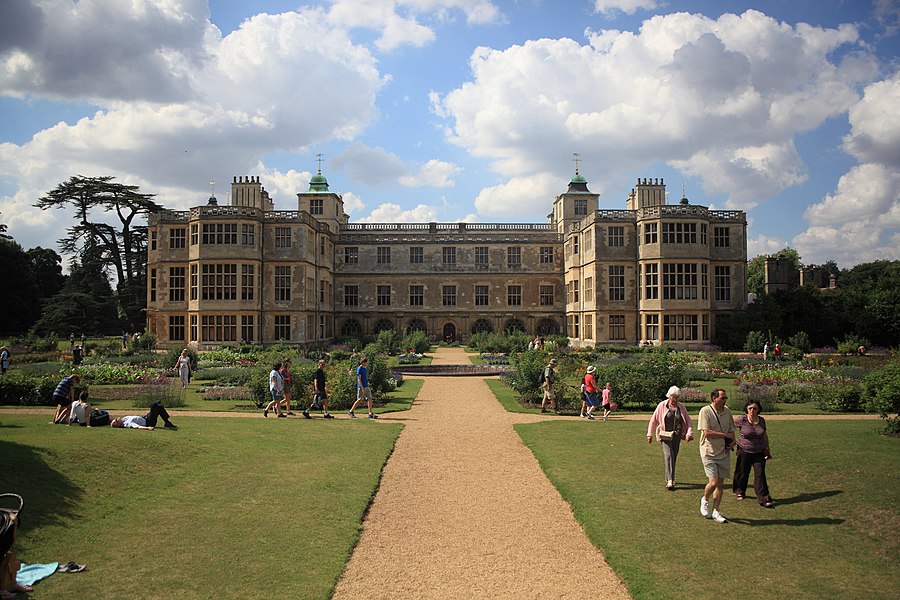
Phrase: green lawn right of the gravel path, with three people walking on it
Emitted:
{"points": [[833, 533]]}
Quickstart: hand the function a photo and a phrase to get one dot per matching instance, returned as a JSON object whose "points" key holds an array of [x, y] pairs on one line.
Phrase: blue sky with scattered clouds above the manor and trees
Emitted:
{"points": [[451, 110]]}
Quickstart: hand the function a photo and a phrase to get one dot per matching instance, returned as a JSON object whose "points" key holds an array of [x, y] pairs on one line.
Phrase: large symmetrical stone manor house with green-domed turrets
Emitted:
{"points": [[247, 272]]}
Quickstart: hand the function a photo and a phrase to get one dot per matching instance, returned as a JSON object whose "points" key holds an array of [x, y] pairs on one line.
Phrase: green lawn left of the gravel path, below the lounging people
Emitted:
{"points": [[220, 508]]}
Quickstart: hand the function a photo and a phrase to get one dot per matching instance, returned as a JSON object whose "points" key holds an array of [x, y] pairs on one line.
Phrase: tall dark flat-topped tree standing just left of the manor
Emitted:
{"points": [[119, 247]]}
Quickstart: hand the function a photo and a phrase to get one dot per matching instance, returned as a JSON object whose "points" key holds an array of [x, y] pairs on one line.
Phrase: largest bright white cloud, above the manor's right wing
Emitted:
{"points": [[722, 99]]}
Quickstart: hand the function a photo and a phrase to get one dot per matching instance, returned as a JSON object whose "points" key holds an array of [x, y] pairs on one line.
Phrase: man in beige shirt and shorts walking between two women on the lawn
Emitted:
{"points": [[716, 441]]}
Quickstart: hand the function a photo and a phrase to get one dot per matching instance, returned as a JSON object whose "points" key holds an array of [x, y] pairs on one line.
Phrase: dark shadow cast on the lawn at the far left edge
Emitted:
{"points": [[50, 496]]}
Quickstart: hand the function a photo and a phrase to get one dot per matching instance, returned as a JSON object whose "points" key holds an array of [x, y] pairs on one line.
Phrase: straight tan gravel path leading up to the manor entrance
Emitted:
{"points": [[464, 510]]}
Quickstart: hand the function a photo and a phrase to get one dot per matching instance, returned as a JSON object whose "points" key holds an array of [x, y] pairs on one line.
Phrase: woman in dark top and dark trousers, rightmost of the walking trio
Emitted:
{"points": [[752, 452]]}
